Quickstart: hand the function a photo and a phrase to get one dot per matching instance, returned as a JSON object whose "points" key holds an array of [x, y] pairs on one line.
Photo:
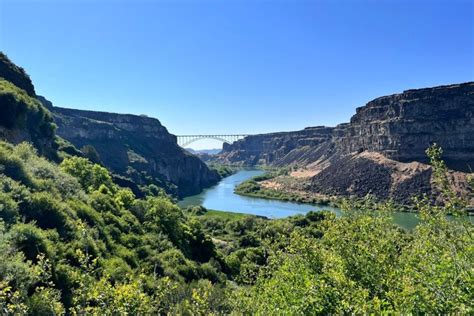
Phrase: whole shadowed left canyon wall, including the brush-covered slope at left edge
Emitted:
{"points": [[137, 148]]}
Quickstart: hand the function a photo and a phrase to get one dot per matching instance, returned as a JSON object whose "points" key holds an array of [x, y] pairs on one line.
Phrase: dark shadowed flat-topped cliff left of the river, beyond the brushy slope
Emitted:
{"points": [[137, 147]]}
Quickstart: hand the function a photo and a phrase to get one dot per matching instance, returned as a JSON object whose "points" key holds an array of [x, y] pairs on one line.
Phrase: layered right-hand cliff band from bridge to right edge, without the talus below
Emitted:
{"points": [[400, 126]]}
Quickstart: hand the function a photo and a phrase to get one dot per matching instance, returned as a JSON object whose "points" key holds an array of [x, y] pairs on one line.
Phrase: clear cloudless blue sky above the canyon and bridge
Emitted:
{"points": [[236, 66]]}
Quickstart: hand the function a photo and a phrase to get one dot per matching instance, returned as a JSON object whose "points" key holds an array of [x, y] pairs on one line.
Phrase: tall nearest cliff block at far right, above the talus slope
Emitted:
{"points": [[402, 126]]}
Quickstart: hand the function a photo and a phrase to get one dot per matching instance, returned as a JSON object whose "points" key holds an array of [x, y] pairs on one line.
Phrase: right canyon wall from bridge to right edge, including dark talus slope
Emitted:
{"points": [[381, 151]]}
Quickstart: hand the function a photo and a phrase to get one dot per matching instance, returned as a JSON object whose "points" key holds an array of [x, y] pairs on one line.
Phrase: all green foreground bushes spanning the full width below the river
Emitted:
{"points": [[72, 241]]}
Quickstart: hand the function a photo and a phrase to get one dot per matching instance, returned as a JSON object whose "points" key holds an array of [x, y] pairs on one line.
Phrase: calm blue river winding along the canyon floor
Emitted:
{"points": [[222, 197]]}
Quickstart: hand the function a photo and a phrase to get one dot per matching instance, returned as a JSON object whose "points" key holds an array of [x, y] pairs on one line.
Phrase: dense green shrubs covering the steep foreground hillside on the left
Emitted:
{"points": [[69, 234]]}
